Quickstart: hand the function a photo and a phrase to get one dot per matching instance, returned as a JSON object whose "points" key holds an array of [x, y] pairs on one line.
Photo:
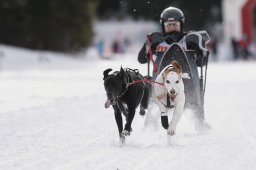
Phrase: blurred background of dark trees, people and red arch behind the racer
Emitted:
{"points": [[120, 26]]}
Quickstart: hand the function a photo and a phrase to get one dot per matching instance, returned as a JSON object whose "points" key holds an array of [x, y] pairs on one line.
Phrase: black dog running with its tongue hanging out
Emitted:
{"points": [[125, 96]]}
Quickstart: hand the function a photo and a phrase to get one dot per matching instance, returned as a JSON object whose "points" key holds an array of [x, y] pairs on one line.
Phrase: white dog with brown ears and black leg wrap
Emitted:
{"points": [[170, 95]]}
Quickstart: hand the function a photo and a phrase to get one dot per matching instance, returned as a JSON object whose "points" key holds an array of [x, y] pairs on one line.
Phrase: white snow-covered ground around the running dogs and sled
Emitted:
{"points": [[53, 117]]}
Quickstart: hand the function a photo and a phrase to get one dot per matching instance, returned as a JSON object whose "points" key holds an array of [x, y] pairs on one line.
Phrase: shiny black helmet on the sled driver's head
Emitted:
{"points": [[172, 14]]}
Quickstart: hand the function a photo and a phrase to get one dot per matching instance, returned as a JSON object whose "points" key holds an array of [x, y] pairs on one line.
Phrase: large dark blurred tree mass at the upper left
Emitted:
{"points": [[58, 25]]}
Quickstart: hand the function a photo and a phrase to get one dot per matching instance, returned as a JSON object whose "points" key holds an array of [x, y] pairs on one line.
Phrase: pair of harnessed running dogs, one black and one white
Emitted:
{"points": [[128, 89]]}
